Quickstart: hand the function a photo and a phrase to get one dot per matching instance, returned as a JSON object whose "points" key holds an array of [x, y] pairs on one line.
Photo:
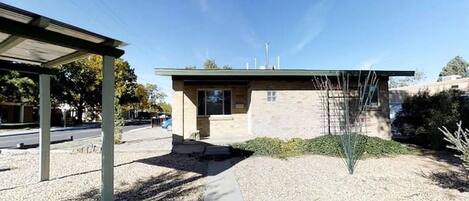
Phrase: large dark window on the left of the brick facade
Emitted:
{"points": [[214, 102]]}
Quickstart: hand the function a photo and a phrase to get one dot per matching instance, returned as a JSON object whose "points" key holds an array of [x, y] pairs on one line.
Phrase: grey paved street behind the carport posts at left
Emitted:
{"points": [[33, 138]]}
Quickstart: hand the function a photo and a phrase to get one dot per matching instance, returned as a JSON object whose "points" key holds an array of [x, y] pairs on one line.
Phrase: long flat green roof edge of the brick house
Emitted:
{"points": [[276, 72]]}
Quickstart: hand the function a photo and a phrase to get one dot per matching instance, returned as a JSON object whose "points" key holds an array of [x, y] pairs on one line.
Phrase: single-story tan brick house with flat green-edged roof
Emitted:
{"points": [[243, 104]]}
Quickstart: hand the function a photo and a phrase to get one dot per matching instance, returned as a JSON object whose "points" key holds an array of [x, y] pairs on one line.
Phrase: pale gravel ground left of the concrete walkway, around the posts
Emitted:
{"points": [[145, 170]]}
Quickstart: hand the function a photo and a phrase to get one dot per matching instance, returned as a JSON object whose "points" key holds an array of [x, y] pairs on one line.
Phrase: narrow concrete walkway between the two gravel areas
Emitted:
{"points": [[221, 182]]}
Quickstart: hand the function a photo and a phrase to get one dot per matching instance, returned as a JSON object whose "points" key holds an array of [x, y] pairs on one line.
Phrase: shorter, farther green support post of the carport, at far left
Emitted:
{"points": [[44, 122]]}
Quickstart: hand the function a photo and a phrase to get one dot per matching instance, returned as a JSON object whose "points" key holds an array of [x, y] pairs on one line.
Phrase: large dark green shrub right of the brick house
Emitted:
{"points": [[422, 115]]}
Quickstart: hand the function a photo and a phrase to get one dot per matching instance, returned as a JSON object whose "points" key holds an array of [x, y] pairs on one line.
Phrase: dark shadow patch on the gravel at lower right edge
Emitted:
{"points": [[457, 180]]}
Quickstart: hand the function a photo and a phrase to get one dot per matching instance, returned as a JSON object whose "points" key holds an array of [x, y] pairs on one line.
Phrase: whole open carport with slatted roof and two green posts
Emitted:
{"points": [[36, 44]]}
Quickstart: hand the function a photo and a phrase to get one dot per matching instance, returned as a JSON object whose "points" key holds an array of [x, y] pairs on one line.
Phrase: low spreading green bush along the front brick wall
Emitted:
{"points": [[328, 145]]}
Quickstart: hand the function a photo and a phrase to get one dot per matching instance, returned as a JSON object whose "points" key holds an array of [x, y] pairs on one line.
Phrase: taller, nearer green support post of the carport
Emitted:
{"points": [[107, 135]]}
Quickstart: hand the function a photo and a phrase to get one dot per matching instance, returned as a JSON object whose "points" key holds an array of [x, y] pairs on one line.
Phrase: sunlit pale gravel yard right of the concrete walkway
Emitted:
{"points": [[314, 177]]}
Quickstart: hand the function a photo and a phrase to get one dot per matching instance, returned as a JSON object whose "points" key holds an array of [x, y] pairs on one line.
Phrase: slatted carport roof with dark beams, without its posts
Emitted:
{"points": [[27, 37]]}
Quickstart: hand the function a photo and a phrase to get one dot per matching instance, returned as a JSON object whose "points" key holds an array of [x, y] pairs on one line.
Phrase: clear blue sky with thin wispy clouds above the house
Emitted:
{"points": [[309, 34]]}
